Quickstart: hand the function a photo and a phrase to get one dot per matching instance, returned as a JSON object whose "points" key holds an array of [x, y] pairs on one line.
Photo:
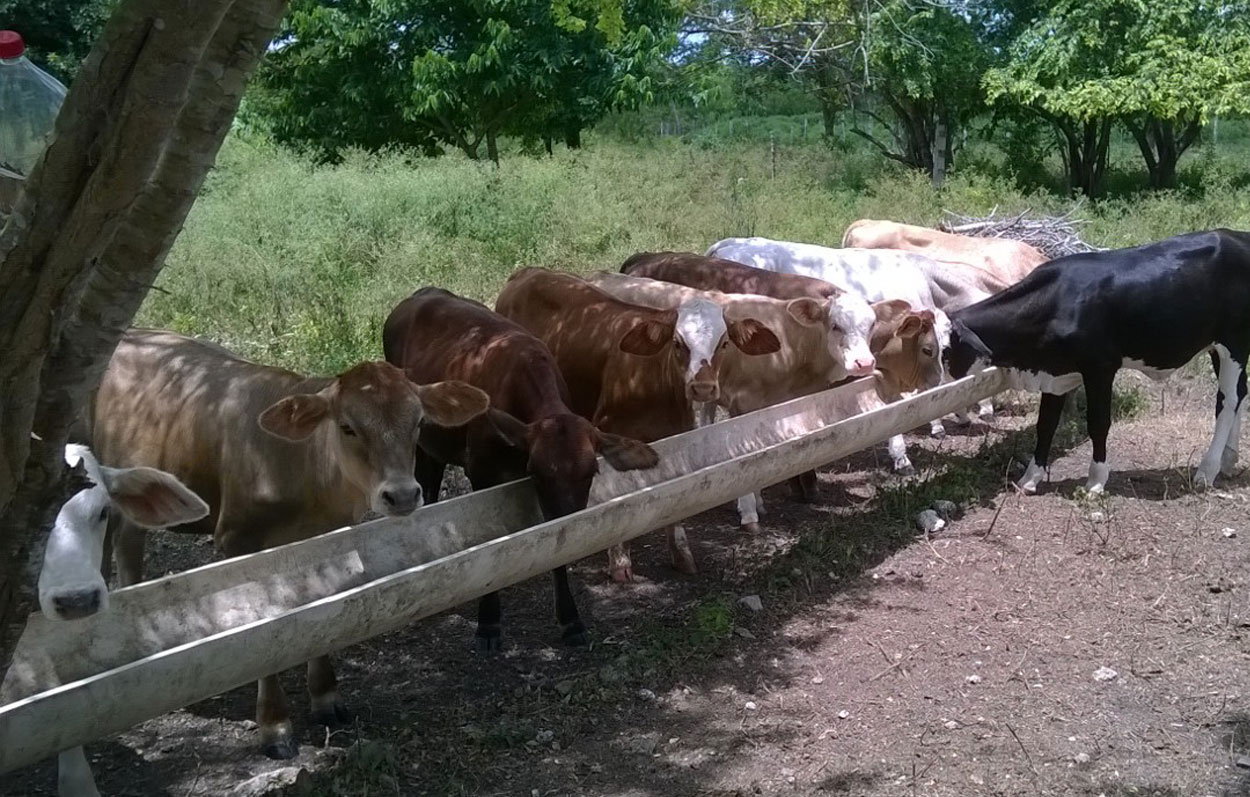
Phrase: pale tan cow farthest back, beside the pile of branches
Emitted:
{"points": [[999, 262]]}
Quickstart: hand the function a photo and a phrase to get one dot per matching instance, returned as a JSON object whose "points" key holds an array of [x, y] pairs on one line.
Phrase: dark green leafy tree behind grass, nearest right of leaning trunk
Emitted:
{"points": [[368, 73]]}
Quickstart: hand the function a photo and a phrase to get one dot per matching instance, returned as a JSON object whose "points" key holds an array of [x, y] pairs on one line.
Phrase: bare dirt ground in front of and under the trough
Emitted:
{"points": [[882, 663]]}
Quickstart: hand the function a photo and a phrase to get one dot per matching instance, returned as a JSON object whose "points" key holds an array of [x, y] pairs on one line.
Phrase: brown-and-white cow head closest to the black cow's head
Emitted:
{"points": [[906, 344]]}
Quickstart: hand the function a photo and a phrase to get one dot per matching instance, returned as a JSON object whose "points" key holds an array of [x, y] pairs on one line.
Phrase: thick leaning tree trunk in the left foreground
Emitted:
{"points": [[133, 144]]}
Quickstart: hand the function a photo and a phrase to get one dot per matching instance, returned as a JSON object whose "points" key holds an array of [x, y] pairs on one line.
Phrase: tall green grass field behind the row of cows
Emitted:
{"points": [[298, 265]]}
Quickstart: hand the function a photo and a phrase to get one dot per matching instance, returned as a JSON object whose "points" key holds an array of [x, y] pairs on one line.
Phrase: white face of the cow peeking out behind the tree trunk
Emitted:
{"points": [[71, 579]]}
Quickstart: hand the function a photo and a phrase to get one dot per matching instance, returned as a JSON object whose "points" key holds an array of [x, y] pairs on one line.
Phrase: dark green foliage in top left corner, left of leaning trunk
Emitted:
{"points": [[58, 33]]}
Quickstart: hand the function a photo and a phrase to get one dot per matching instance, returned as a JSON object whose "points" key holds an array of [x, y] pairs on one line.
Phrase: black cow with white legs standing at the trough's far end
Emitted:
{"points": [[1083, 318]]}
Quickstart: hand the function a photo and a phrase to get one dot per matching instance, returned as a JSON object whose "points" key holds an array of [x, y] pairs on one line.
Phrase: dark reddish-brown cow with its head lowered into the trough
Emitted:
{"points": [[529, 430]]}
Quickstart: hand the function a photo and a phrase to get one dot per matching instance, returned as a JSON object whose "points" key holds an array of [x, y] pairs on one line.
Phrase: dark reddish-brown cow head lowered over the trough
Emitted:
{"points": [[562, 454]]}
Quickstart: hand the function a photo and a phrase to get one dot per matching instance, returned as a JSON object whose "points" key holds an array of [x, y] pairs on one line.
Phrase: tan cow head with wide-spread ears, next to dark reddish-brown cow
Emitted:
{"points": [[372, 417]]}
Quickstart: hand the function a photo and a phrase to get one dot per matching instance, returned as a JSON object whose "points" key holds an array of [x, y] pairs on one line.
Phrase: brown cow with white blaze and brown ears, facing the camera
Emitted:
{"points": [[632, 370]]}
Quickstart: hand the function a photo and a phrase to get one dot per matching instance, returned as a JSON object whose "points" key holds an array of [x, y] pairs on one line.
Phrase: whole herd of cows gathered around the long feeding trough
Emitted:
{"points": [[569, 370]]}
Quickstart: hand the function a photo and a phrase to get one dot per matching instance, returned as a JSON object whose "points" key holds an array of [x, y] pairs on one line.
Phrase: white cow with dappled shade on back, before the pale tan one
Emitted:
{"points": [[877, 275]]}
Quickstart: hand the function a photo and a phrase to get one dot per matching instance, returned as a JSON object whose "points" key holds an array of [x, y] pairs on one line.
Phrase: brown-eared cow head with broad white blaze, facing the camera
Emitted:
{"points": [[697, 337]]}
